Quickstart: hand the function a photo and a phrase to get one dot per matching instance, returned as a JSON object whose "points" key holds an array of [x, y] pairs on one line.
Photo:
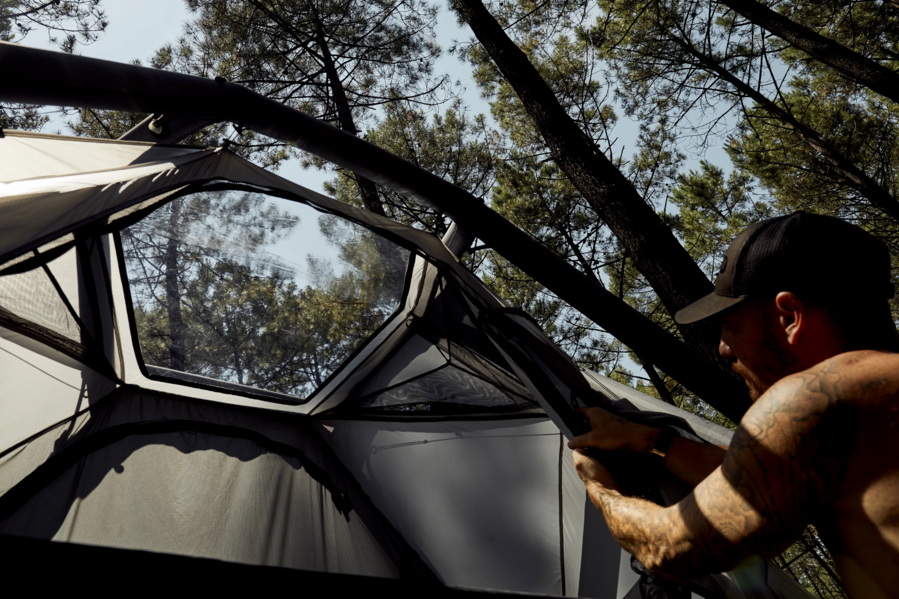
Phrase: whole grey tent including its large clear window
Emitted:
{"points": [[421, 438]]}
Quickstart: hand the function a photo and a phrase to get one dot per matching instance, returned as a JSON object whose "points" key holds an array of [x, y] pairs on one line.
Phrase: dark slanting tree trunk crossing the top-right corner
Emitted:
{"points": [[850, 64]]}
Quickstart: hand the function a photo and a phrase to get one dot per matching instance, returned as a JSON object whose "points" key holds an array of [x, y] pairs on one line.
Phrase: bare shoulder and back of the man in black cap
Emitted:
{"points": [[836, 422]]}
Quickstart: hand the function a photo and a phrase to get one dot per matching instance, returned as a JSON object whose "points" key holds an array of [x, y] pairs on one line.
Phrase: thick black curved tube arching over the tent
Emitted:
{"points": [[45, 77]]}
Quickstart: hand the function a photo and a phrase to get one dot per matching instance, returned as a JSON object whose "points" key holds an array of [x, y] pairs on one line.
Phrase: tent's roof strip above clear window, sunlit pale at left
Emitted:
{"points": [[60, 197]]}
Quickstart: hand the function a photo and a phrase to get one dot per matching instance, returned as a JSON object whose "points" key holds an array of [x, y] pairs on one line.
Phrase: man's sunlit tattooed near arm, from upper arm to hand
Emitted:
{"points": [[756, 503]]}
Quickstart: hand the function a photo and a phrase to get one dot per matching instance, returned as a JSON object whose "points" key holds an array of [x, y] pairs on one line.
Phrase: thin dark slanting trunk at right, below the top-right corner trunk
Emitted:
{"points": [[855, 177]]}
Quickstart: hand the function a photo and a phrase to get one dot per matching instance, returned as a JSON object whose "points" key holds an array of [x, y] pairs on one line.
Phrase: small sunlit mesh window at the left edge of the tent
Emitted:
{"points": [[32, 296]]}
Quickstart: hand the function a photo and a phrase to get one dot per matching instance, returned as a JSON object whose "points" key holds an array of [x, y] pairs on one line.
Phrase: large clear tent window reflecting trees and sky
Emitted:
{"points": [[244, 288]]}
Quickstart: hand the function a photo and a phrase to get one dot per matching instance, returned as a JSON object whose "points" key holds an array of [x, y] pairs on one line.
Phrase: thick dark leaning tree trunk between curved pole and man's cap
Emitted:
{"points": [[656, 253]]}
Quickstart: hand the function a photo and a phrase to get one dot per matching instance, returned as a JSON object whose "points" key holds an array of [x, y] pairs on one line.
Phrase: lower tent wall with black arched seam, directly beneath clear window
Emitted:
{"points": [[140, 470]]}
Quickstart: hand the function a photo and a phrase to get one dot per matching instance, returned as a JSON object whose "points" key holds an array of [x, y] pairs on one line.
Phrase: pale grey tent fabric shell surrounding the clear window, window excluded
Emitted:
{"points": [[475, 489]]}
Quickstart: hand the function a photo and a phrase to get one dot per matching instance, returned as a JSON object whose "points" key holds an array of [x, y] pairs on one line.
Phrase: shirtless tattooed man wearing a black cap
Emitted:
{"points": [[803, 305]]}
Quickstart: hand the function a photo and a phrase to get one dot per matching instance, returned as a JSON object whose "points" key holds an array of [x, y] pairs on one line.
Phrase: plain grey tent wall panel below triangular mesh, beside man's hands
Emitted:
{"points": [[457, 491]]}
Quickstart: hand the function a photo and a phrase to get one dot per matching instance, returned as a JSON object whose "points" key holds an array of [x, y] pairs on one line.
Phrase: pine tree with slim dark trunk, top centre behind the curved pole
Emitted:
{"points": [[337, 60]]}
